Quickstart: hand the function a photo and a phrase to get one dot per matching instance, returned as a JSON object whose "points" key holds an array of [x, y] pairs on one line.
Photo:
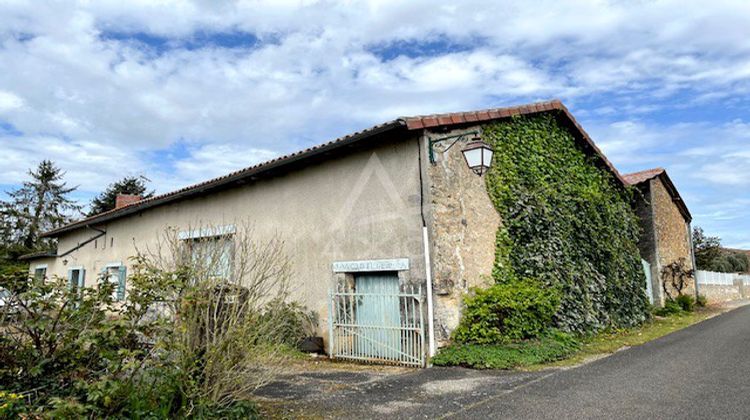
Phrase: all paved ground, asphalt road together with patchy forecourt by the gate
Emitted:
{"points": [[700, 372]]}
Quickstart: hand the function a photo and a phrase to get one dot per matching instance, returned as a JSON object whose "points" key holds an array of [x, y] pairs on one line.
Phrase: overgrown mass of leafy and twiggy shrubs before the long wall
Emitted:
{"points": [[186, 343]]}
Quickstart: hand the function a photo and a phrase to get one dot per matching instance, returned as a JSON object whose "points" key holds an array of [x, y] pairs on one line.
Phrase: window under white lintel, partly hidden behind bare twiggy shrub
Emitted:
{"points": [[212, 256]]}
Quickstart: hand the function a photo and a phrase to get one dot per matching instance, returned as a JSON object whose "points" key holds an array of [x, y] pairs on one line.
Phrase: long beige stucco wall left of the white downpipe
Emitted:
{"points": [[359, 206]]}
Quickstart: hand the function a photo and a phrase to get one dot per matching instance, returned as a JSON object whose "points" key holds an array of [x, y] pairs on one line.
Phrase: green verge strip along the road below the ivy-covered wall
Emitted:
{"points": [[557, 349]]}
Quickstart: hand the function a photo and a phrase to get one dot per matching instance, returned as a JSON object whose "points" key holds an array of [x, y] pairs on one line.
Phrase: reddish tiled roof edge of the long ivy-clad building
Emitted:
{"points": [[404, 123]]}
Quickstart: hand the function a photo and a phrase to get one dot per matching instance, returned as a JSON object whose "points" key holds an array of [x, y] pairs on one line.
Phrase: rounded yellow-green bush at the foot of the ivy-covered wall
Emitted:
{"points": [[516, 310]]}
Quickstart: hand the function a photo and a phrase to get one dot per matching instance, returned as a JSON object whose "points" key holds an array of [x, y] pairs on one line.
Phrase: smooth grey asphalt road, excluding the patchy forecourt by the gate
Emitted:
{"points": [[701, 372]]}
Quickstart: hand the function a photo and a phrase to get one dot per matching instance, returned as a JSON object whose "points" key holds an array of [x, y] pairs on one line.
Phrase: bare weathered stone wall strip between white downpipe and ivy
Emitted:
{"points": [[463, 229]]}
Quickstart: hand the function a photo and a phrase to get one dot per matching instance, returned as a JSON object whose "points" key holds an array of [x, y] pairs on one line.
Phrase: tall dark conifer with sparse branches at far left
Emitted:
{"points": [[41, 204]]}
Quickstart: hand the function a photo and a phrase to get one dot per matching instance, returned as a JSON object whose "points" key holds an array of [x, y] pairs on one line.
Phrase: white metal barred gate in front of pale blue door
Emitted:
{"points": [[373, 321]]}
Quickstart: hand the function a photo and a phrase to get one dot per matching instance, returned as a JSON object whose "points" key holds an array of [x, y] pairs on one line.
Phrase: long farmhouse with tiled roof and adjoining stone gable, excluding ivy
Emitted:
{"points": [[396, 215]]}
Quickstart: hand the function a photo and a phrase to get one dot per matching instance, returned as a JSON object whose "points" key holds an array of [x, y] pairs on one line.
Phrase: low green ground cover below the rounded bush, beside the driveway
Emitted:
{"points": [[553, 345]]}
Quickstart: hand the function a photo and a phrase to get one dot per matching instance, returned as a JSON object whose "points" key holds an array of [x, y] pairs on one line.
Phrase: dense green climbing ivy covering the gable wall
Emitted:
{"points": [[566, 222]]}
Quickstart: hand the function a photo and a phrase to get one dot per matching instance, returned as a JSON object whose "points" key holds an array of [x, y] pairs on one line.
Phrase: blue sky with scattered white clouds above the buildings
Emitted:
{"points": [[184, 91]]}
